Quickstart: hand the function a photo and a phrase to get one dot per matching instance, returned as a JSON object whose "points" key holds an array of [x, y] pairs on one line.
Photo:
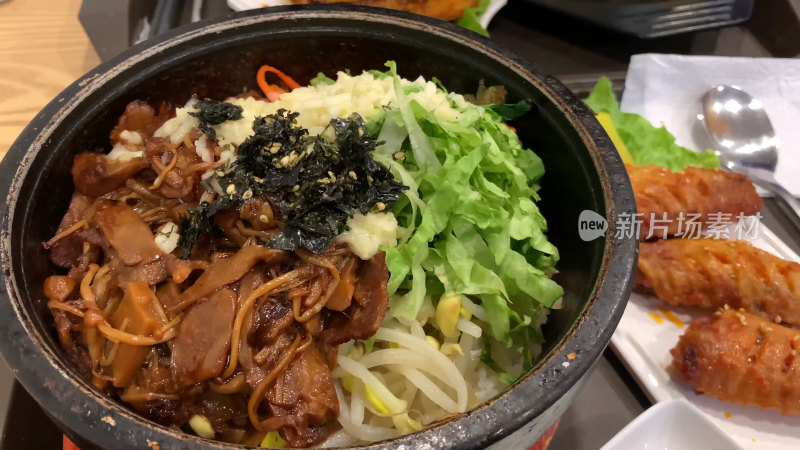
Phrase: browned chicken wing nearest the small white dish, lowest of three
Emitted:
{"points": [[741, 358]]}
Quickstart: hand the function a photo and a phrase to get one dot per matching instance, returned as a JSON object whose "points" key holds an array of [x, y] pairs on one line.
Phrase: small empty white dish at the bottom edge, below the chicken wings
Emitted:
{"points": [[671, 425]]}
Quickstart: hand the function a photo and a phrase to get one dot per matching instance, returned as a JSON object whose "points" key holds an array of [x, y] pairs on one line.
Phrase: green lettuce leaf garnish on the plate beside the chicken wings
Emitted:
{"points": [[646, 143]]}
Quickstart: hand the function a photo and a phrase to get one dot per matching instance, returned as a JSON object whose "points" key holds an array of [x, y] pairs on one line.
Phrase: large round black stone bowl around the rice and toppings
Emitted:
{"points": [[219, 58]]}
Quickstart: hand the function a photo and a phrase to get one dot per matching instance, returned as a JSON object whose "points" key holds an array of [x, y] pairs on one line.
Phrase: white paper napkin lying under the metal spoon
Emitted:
{"points": [[666, 89]]}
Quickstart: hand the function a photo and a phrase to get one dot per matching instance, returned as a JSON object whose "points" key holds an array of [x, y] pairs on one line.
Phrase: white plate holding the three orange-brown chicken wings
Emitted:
{"points": [[644, 348]]}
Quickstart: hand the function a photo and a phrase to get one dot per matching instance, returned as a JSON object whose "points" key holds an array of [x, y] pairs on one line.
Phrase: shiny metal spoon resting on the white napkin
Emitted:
{"points": [[742, 133]]}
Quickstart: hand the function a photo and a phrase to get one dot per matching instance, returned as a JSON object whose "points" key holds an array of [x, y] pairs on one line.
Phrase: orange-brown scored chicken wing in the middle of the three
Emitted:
{"points": [[711, 273]]}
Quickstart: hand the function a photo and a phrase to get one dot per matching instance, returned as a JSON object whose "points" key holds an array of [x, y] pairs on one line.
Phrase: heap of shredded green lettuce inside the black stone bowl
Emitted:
{"points": [[469, 218]]}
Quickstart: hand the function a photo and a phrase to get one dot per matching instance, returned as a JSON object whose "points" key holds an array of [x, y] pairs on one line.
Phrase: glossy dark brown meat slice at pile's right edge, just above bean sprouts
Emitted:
{"points": [[363, 318]]}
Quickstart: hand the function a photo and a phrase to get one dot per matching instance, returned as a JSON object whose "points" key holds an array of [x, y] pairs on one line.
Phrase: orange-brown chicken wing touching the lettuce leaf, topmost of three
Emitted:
{"points": [[692, 193]]}
